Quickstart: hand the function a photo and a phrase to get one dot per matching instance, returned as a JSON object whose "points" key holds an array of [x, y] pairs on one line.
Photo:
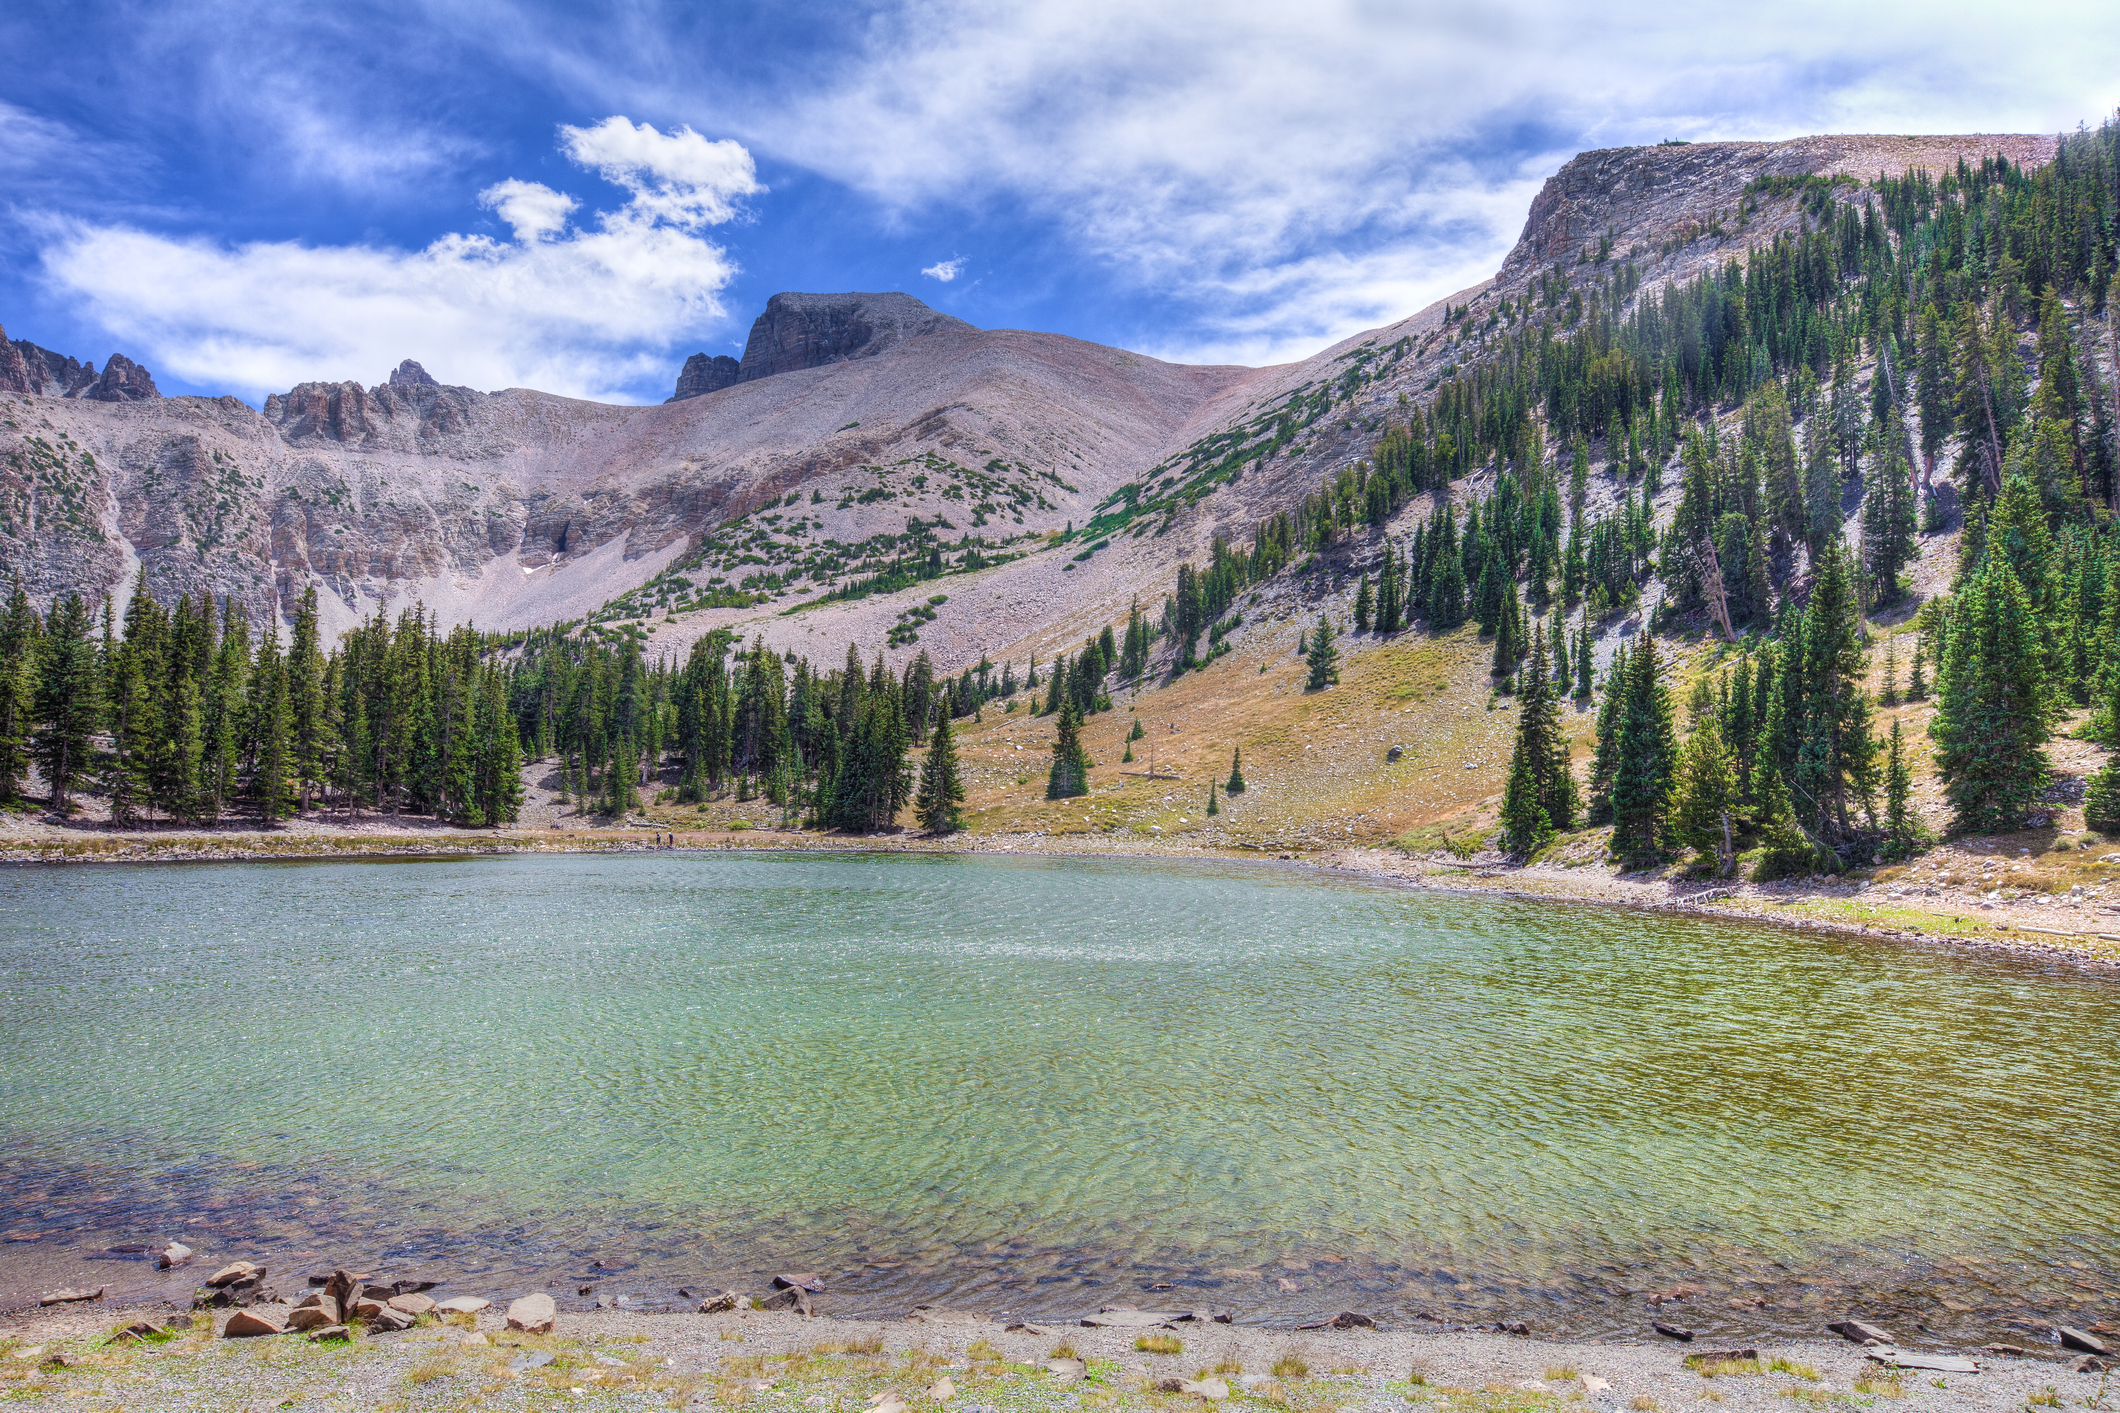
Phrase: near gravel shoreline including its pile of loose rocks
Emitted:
{"points": [[404, 1348]]}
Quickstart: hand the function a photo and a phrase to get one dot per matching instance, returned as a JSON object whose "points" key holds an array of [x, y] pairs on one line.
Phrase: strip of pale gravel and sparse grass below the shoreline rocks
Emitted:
{"points": [[959, 1361]]}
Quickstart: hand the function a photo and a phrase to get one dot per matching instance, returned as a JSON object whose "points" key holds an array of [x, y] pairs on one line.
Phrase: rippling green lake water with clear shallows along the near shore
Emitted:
{"points": [[1044, 1086]]}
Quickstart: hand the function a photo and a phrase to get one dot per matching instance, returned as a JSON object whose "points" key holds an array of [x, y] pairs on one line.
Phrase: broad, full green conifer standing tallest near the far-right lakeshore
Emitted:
{"points": [[1994, 704]]}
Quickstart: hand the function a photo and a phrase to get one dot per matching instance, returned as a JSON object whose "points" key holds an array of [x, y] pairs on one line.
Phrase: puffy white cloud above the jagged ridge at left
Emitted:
{"points": [[580, 308]]}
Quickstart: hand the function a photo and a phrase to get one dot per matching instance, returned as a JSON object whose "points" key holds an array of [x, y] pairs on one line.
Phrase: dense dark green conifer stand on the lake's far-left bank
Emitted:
{"points": [[183, 713]]}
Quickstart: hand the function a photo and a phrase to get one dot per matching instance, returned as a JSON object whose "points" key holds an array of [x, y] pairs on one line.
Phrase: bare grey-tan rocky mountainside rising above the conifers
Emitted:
{"points": [[858, 431]]}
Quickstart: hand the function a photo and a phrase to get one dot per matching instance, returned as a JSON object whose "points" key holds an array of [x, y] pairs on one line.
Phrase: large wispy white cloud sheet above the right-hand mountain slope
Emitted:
{"points": [[1205, 147]]}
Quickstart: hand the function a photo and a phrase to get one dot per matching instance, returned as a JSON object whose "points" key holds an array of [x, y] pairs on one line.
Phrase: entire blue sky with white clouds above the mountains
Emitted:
{"points": [[573, 198]]}
